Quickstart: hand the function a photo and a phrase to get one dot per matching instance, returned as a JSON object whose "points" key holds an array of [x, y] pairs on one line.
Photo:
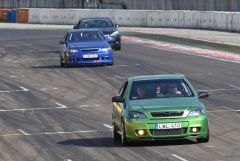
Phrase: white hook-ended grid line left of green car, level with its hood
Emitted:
{"points": [[60, 106]]}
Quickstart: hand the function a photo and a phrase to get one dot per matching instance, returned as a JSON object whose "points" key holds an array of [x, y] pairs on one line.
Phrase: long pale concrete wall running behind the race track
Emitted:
{"points": [[213, 20]]}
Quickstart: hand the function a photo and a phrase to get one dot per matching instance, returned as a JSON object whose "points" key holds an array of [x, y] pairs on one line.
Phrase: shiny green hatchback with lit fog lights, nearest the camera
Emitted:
{"points": [[156, 107]]}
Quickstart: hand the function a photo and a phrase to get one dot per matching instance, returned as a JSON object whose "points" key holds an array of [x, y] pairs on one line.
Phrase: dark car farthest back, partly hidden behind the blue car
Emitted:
{"points": [[109, 29]]}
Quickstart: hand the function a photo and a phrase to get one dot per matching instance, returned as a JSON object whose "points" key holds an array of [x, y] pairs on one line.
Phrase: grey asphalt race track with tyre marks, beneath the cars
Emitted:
{"points": [[48, 113]]}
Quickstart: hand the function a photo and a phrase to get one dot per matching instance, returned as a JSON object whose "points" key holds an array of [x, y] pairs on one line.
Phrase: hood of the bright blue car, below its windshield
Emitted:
{"points": [[89, 44]]}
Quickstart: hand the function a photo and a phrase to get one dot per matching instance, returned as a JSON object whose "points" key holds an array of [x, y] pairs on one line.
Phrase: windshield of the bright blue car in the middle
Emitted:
{"points": [[85, 36]]}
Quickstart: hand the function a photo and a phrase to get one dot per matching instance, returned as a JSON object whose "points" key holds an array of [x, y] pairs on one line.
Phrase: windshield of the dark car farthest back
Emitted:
{"points": [[97, 23]]}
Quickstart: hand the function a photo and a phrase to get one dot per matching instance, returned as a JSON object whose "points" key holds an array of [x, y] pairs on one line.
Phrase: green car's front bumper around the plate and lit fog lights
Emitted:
{"points": [[150, 132]]}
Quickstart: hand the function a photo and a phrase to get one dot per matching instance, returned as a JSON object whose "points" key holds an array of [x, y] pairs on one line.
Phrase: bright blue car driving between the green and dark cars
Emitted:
{"points": [[85, 47]]}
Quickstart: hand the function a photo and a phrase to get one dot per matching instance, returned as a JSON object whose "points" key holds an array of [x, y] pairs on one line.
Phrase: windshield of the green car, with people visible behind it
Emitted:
{"points": [[164, 88]]}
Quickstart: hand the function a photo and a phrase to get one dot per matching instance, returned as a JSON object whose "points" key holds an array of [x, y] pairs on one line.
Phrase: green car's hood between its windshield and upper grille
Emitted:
{"points": [[164, 104]]}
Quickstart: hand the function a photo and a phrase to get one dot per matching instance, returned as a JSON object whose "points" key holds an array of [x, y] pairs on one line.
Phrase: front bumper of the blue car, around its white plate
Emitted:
{"points": [[79, 59]]}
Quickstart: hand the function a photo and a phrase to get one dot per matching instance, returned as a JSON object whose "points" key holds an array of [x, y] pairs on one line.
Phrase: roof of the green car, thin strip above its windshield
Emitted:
{"points": [[153, 77]]}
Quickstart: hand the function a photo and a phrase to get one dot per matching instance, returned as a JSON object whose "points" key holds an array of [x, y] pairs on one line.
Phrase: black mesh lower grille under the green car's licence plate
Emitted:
{"points": [[168, 131]]}
